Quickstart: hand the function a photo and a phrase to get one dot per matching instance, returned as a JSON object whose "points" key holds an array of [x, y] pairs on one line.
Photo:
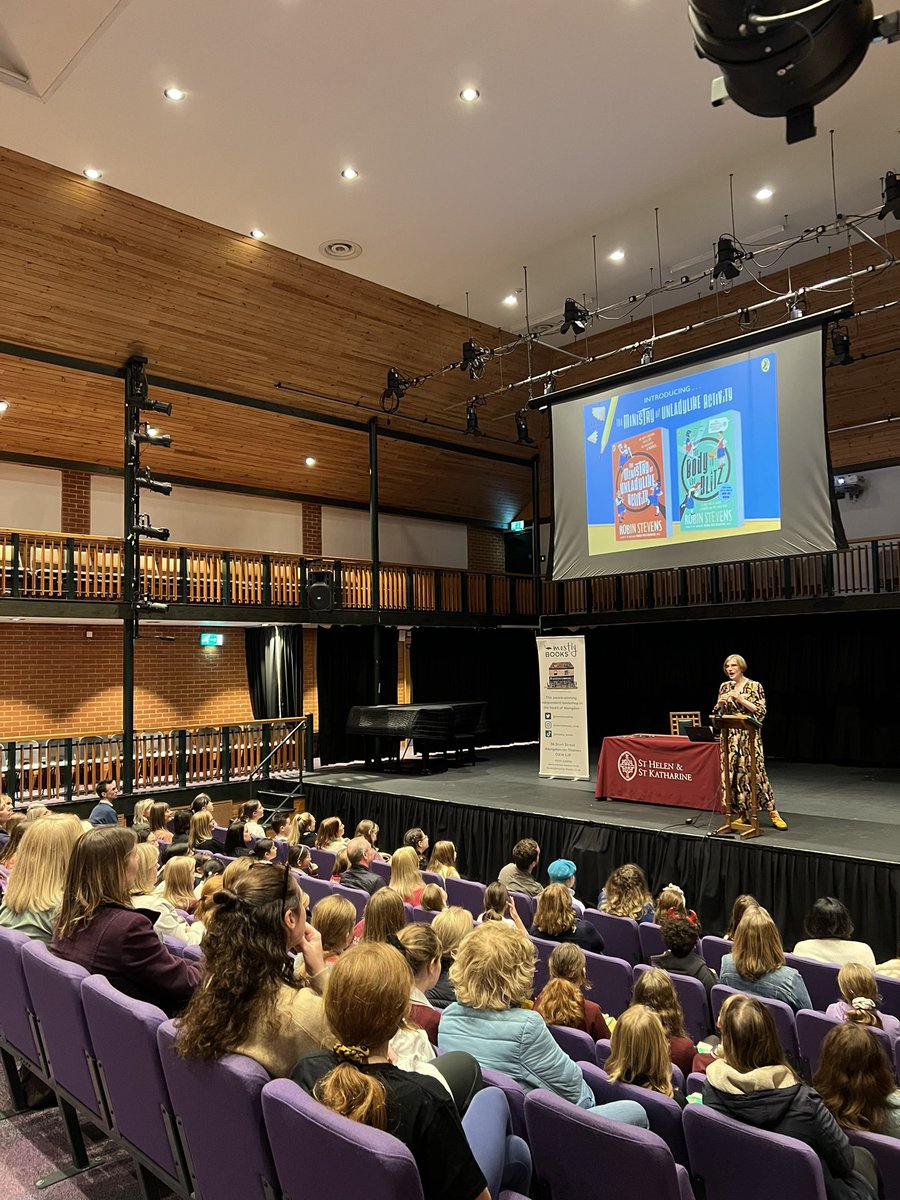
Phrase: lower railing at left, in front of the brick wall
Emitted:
{"points": [[69, 769]]}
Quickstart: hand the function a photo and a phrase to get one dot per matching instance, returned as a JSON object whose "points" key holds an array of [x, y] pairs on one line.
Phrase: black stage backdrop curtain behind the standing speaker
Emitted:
{"points": [[827, 681]]}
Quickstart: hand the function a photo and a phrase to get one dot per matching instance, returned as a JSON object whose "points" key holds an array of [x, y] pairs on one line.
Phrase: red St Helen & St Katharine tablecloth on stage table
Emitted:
{"points": [[659, 771]]}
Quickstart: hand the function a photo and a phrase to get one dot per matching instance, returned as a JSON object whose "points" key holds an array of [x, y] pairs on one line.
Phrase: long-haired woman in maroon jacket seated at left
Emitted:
{"points": [[99, 929]]}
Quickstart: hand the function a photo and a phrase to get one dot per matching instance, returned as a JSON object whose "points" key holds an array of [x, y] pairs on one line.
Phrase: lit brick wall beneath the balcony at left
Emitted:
{"points": [[58, 681]]}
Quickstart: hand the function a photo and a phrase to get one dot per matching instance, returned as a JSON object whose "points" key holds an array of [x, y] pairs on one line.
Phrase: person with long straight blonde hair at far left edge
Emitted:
{"points": [[35, 889]]}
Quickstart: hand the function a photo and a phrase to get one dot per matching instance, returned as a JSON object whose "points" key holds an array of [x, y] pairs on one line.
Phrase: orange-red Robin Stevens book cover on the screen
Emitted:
{"points": [[640, 488]]}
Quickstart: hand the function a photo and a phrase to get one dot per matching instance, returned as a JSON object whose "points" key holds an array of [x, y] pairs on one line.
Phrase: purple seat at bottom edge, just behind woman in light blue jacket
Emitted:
{"points": [[601, 1157]]}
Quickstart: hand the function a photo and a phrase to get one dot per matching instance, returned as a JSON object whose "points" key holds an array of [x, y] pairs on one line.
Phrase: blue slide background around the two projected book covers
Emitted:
{"points": [[754, 395]]}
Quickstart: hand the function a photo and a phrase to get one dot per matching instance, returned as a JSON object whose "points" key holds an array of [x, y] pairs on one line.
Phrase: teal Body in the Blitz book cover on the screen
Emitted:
{"points": [[711, 473]]}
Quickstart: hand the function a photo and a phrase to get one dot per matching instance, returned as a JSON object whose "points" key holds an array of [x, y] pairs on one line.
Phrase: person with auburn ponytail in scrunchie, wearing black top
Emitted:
{"points": [[368, 1001]]}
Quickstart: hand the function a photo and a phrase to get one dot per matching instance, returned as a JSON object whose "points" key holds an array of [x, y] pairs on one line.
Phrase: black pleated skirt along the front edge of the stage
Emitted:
{"points": [[712, 872]]}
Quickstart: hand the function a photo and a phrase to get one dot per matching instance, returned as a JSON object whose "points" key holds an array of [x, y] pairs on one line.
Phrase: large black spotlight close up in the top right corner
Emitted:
{"points": [[781, 58]]}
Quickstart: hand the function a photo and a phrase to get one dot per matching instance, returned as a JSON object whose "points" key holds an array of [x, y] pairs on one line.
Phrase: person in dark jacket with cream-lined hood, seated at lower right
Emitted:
{"points": [[751, 1082]]}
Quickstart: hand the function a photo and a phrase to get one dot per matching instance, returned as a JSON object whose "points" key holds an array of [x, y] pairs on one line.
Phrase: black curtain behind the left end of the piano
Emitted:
{"points": [[345, 661]]}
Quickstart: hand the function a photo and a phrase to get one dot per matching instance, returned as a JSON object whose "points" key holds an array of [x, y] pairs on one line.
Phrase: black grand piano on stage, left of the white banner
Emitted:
{"points": [[434, 729]]}
